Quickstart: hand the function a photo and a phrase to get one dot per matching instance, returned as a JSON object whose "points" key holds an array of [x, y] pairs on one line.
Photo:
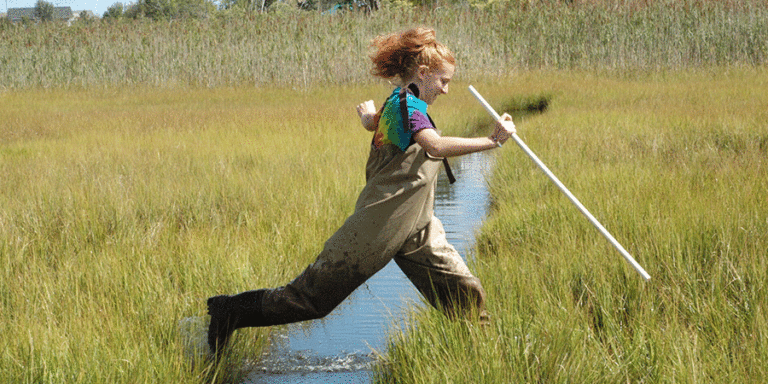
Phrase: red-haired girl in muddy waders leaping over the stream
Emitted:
{"points": [[394, 217]]}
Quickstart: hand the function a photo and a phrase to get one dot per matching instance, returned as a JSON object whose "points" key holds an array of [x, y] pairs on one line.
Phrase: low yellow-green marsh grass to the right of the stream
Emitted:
{"points": [[674, 165]]}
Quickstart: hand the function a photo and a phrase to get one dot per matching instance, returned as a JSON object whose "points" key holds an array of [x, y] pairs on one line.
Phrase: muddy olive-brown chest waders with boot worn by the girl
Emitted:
{"points": [[393, 219]]}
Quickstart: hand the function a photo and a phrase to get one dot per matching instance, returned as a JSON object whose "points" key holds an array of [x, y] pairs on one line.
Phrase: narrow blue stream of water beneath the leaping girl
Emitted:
{"points": [[339, 348]]}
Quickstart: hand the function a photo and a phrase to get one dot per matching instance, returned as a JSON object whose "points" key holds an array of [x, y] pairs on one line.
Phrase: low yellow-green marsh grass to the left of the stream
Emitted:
{"points": [[123, 210]]}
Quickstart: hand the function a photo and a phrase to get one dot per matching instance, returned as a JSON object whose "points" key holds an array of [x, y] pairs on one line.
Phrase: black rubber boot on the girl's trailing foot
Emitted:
{"points": [[232, 312]]}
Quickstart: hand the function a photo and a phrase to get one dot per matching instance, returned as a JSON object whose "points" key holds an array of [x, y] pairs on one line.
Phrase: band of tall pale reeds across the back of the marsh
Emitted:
{"points": [[302, 48]]}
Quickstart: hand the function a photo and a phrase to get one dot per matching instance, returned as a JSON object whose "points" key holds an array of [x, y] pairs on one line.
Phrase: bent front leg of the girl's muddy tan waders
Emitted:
{"points": [[439, 273]]}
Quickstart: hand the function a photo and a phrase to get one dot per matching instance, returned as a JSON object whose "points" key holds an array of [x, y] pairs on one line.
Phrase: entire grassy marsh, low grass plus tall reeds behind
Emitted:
{"points": [[146, 166]]}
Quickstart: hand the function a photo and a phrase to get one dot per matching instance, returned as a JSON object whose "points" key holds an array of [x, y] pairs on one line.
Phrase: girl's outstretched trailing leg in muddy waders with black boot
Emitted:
{"points": [[348, 259]]}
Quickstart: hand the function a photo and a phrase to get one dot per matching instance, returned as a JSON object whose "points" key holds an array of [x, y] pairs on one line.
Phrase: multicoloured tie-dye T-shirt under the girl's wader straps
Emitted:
{"points": [[390, 127]]}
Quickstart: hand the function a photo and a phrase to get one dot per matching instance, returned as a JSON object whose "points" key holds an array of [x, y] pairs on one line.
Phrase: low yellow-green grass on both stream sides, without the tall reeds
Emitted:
{"points": [[124, 209]]}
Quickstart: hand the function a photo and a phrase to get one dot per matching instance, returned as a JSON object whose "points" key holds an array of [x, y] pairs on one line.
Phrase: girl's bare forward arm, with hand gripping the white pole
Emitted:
{"points": [[440, 146]]}
